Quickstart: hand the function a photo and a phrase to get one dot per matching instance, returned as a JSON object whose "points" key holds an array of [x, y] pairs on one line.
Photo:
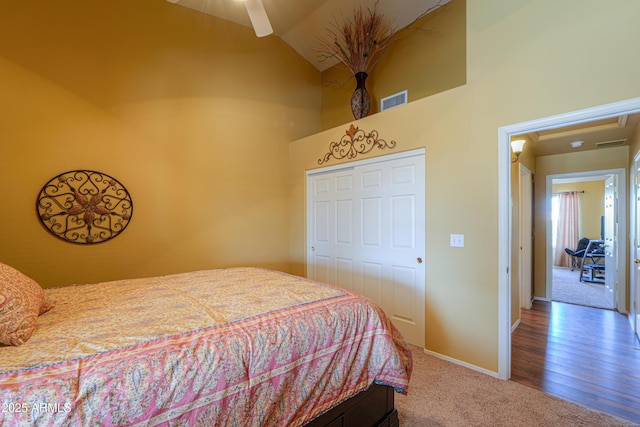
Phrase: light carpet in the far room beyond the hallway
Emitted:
{"points": [[568, 288]]}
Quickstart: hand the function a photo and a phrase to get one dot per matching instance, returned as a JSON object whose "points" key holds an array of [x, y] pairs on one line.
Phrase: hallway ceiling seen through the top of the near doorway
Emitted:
{"points": [[599, 134]]}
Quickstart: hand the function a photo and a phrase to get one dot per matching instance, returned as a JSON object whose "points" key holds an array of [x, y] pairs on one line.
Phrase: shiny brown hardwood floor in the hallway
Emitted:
{"points": [[581, 354]]}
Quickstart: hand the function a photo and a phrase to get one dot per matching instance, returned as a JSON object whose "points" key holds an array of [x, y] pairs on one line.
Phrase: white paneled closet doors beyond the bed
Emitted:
{"points": [[366, 233]]}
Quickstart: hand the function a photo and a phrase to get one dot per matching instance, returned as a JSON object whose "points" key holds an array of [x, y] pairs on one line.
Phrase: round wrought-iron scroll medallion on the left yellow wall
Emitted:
{"points": [[84, 206]]}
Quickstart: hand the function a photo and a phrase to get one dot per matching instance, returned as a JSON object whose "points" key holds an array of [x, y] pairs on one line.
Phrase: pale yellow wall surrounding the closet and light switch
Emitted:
{"points": [[515, 73]]}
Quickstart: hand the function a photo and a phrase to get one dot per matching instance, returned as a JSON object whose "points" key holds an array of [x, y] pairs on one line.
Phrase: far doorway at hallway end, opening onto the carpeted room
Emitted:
{"points": [[601, 219]]}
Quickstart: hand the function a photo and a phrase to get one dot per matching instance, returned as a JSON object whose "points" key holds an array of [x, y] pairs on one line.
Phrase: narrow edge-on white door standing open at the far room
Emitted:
{"points": [[610, 240]]}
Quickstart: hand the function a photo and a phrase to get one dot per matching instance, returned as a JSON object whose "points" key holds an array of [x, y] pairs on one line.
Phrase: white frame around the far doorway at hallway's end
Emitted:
{"points": [[620, 298]]}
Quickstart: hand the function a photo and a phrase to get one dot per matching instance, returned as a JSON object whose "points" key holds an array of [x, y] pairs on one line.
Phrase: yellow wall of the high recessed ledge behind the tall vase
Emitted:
{"points": [[427, 57]]}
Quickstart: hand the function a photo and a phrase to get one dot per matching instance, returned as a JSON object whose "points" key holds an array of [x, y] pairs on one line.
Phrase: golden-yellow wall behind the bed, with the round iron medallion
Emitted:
{"points": [[191, 113]]}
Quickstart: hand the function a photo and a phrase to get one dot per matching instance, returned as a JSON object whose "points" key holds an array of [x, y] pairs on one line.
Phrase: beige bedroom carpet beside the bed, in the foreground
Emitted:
{"points": [[442, 394]]}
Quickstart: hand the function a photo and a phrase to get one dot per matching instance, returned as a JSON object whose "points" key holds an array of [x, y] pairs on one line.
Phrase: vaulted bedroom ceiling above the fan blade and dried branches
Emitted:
{"points": [[300, 22]]}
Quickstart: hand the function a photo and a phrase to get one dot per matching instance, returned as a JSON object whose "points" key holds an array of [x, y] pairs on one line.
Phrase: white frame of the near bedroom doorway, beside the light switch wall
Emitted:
{"points": [[504, 207]]}
